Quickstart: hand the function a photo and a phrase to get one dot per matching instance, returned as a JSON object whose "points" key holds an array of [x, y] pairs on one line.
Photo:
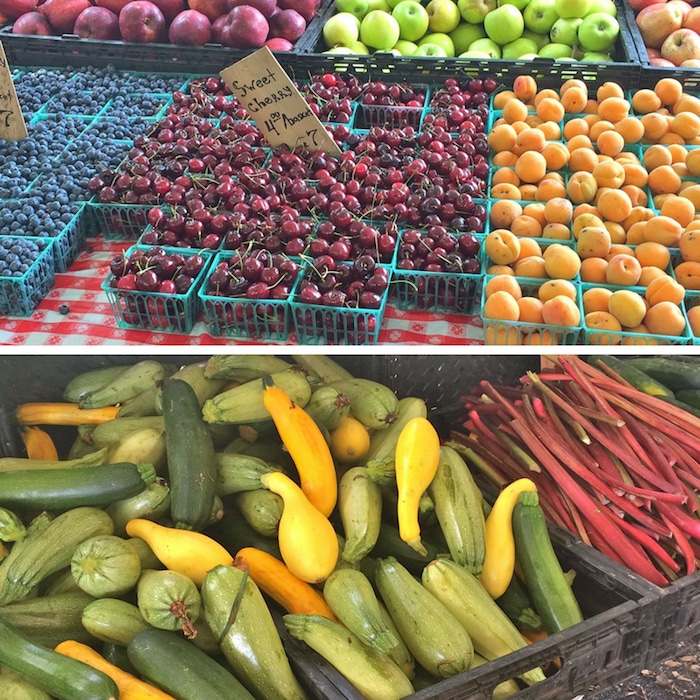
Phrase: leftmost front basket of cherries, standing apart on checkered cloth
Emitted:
{"points": [[155, 288]]}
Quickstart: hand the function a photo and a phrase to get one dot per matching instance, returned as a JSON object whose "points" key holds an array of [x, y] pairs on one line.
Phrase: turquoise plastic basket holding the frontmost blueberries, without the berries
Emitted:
{"points": [[19, 296]]}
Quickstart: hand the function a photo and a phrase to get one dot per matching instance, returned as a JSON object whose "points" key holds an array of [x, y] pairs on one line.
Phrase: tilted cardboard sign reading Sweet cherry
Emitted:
{"points": [[273, 102]]}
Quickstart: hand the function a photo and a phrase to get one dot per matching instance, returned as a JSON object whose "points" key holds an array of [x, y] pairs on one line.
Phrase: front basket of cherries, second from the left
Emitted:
{"points": [[246, 294]]}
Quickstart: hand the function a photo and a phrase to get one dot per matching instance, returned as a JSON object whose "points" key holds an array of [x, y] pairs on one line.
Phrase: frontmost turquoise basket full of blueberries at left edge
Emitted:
{"points": [[27, 273]]}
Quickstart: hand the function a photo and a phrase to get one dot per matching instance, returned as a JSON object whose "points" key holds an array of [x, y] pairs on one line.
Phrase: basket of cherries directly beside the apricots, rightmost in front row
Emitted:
{"points": [[438, 270]]}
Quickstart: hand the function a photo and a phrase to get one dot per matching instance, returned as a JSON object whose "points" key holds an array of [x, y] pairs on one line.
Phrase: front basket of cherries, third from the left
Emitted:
{"points": [[340, 303]]}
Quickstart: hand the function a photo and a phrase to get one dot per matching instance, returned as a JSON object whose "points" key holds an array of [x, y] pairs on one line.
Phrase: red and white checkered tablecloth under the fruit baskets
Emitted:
{"points": [[89, 320]]}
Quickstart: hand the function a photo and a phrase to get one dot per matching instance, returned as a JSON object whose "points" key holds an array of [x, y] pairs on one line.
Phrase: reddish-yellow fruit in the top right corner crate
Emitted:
{"points": [[670, 32]]}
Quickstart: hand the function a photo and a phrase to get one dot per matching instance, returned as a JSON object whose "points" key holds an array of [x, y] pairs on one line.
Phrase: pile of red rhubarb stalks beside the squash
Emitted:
{"points": [[616, 464]]}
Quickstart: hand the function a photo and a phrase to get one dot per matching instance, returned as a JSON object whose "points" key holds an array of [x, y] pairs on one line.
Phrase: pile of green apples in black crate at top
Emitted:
{"points": [[584, 30]]}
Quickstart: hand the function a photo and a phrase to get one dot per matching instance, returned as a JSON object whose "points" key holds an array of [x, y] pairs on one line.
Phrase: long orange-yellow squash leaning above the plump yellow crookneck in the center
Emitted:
{"points": [[306, 446]]}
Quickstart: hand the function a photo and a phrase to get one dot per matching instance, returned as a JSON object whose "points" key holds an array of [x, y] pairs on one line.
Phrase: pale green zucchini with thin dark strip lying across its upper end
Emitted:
{"points": [[250, 643]]}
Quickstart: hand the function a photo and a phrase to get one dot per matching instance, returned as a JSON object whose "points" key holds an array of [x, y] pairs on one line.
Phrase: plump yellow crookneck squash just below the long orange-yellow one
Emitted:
{"points": [[307, 541]]}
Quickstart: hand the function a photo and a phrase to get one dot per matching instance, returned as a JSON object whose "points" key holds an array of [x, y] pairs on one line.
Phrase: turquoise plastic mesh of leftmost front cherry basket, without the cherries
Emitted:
{"points": [[155, 311]]}
